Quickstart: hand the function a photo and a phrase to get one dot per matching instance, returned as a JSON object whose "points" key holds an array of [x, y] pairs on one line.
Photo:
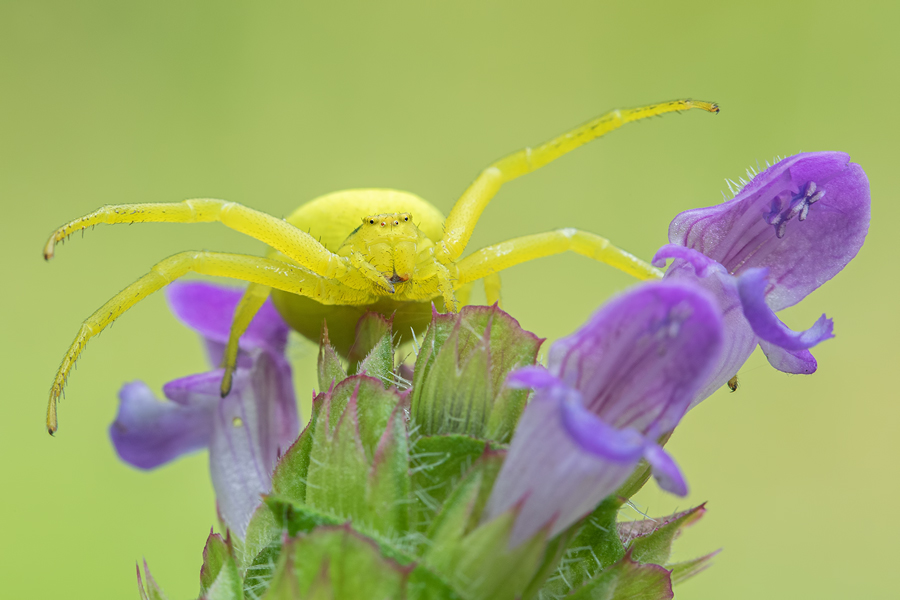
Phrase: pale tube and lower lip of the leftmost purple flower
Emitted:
{"points": [[246, 431]]}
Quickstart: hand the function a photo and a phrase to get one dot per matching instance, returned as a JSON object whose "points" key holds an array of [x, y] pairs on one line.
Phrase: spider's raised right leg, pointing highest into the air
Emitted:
{"points": [[462, 219]]}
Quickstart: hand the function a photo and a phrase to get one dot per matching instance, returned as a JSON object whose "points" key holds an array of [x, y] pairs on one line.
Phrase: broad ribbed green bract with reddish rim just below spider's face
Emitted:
{"points": [[458, 383]]}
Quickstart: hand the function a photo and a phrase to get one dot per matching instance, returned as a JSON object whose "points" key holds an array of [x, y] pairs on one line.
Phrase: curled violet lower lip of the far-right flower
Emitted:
{"points": [[752, 291]]}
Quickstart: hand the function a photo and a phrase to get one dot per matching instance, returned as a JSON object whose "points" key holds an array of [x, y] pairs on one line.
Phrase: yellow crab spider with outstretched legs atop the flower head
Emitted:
{"points": [[349, 252]]}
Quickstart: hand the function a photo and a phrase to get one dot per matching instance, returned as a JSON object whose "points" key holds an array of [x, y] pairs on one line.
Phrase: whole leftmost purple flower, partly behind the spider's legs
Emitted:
{"points": [[245, 432]]}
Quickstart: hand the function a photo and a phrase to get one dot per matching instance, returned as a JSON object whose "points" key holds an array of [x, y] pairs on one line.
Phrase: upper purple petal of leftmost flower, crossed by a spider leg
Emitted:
{"points": [[208, 309]]}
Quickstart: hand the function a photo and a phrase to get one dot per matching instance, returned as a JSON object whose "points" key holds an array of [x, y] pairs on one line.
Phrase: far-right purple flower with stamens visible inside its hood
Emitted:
{"points": [[788, 231]]}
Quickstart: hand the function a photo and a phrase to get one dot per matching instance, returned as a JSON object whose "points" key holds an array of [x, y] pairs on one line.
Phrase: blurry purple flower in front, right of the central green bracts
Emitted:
{"points": [[610, 390]]}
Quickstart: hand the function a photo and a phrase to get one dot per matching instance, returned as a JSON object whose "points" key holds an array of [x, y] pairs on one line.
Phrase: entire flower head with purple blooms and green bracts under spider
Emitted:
{"points": [[492, 476]]}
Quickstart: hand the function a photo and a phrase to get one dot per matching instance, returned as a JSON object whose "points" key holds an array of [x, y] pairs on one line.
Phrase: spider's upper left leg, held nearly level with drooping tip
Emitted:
{"points": [[277, 233]]}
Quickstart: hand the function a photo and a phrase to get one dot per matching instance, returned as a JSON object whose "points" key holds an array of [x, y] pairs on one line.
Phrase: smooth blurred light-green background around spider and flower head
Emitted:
{"points": [[276, 103]]}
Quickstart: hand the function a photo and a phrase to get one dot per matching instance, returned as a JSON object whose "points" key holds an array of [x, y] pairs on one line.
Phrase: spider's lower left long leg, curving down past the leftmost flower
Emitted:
{"points": [[255, 269]]}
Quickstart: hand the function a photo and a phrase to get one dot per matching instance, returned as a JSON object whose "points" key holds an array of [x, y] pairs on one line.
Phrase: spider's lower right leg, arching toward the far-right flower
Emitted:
{"points": [[486, 262]]}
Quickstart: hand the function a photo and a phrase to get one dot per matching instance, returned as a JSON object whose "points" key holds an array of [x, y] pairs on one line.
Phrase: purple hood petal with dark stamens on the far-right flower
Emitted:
{"points": [[805, 218]]}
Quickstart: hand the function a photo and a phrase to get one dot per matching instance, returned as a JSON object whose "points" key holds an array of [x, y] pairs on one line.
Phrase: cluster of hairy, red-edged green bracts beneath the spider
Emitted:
{"points": [[374, 502]]}
